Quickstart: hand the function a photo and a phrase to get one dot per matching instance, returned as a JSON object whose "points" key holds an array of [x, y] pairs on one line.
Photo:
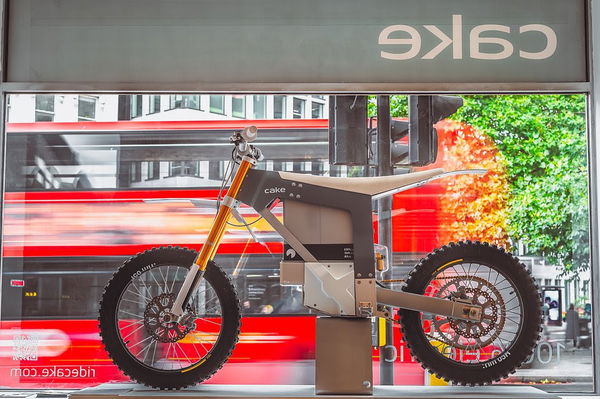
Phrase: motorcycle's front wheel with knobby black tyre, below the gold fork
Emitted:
{"points": [[152, 350]]}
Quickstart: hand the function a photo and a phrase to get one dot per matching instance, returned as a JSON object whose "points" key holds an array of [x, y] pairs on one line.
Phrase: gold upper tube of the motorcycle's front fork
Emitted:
{"points": [[215, 235]]}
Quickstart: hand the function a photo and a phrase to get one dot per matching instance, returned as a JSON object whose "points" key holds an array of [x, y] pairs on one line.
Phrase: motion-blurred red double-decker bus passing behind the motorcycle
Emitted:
{"points": [[75, 208]]}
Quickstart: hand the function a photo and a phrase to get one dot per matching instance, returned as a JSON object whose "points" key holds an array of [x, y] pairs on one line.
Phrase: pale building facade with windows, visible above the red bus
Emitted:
{"points": [[163, 107]]}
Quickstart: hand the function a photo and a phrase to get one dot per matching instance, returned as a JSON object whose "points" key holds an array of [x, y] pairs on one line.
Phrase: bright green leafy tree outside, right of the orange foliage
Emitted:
{"points": [[543, 141]]}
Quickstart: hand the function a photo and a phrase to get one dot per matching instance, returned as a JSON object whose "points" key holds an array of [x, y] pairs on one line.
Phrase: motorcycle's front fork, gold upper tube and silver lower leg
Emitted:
{"points": [[209, 249]]}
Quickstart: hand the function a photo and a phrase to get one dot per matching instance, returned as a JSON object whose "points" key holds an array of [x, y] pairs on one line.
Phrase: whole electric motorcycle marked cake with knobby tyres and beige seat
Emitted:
{"points": [[470, 312]]}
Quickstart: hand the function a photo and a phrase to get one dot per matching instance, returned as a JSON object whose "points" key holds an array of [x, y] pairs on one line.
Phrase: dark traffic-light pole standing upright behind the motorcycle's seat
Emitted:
{"points": [[384, 168]]}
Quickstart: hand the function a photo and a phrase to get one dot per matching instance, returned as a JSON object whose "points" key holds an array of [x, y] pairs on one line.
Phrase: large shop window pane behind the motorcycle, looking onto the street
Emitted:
{"points": [[76, 199]]}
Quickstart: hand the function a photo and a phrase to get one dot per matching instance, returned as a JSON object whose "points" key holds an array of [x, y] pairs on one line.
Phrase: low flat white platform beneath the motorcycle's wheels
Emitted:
{"points": [[207, 391]]}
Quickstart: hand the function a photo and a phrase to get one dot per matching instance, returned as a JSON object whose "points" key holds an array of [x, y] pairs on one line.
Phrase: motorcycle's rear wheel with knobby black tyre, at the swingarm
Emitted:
{"points": [[473, 352]]}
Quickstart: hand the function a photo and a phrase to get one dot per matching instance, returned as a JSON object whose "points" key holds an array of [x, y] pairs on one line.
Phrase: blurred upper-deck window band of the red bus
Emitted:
{"points": [[107, 158]]}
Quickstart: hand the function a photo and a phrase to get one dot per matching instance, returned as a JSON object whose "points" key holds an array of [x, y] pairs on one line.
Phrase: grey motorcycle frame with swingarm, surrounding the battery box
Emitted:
{"points": [[260, 189]]}
